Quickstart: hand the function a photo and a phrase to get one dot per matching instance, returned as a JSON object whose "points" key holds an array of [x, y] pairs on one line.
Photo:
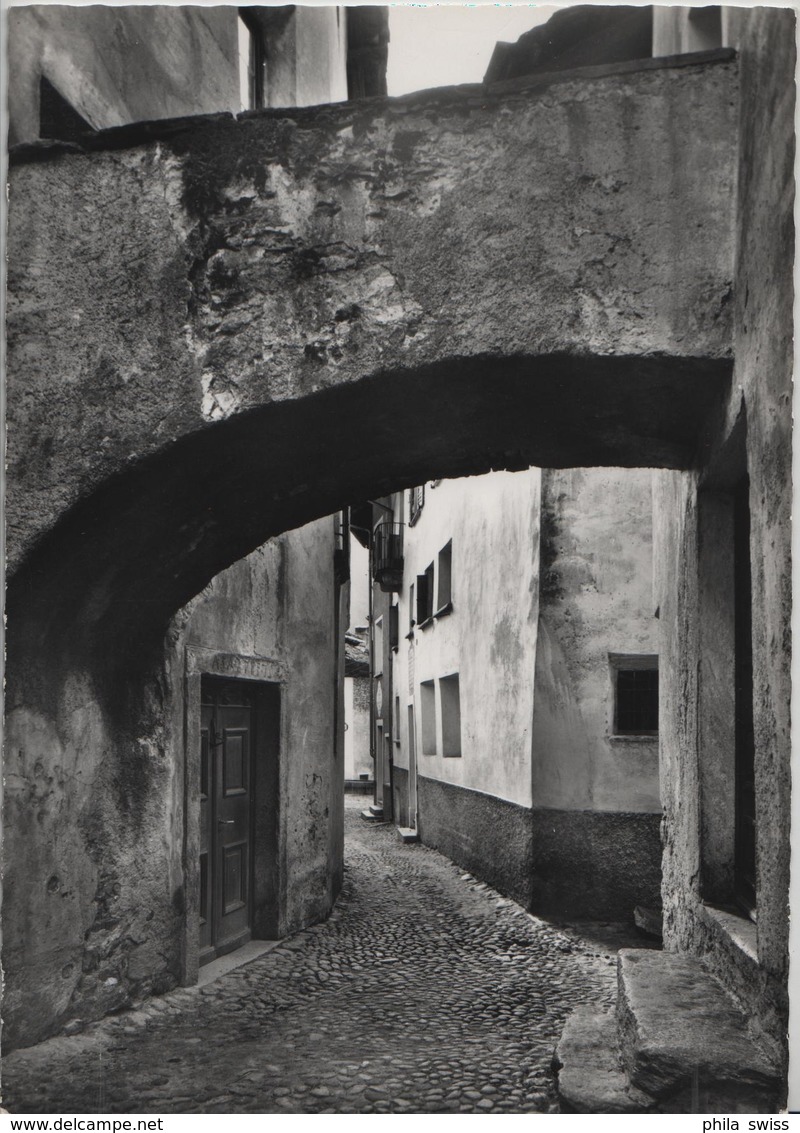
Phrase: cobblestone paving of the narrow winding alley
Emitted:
{"points": [[425, 992]]}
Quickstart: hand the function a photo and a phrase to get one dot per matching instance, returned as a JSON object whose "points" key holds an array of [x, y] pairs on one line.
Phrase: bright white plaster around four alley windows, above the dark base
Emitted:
{"points": [[489, 638]]}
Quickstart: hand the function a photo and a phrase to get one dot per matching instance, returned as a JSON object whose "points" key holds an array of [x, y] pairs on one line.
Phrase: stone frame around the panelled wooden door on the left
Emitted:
{"points": [[268, 825]]}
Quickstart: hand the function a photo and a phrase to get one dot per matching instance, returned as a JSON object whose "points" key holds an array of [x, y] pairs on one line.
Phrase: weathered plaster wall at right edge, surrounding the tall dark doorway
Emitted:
{"points": [[762, 389]]}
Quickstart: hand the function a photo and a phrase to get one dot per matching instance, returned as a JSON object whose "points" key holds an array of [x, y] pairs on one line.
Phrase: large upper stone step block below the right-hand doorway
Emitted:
{"points": [[684, 1038]]}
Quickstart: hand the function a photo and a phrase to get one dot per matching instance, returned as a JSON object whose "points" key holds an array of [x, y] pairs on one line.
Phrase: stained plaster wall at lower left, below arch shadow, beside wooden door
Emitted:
{"points": [[93, 879]]}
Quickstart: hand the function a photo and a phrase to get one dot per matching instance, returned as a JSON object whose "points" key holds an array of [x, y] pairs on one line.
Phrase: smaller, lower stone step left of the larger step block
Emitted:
{"points": [[592, 1079]]}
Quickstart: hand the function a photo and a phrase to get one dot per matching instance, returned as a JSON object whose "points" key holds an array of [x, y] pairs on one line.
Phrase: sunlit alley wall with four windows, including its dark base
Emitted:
{"points": [[474, 797]]}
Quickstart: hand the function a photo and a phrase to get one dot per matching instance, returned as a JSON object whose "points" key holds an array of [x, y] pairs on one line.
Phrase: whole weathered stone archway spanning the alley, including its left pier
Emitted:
{"points": [[205, 311]]}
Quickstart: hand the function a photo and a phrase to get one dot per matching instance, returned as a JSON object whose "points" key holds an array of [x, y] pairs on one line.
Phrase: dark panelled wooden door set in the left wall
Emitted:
{"points": [[227, 790]]}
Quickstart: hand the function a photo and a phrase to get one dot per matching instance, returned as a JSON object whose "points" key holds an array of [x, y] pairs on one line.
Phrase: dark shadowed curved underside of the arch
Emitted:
{"points": [[100, 590]]}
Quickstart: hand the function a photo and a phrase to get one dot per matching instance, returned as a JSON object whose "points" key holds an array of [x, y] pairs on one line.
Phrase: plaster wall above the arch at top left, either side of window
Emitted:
{"points": [[135, 64]]}
